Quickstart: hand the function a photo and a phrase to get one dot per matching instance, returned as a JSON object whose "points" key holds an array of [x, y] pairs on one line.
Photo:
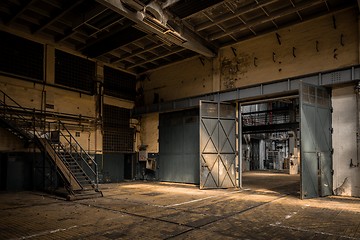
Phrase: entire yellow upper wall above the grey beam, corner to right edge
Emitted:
{"points": [[317, 47]]}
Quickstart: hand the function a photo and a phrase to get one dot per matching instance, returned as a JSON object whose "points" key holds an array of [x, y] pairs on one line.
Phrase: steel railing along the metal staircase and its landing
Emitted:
{"points": [[24, 121]]}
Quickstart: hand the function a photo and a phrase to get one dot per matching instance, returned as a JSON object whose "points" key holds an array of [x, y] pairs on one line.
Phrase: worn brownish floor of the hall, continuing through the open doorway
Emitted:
{"points": [[267, 208]]}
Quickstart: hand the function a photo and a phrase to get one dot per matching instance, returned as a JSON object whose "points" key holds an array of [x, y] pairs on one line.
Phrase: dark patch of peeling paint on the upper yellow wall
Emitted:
{"points": [[233, 70]]}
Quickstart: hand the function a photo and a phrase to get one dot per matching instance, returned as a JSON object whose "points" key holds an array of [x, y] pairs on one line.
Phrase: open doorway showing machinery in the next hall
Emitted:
{"points": [[270, 145]]}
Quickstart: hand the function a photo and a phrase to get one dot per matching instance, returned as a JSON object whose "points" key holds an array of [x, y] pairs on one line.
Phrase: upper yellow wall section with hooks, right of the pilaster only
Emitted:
{"points": [[309, 47]]}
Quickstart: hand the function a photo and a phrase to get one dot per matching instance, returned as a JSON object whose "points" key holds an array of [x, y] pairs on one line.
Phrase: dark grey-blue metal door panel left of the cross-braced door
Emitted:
{"points": [[179, 146]]}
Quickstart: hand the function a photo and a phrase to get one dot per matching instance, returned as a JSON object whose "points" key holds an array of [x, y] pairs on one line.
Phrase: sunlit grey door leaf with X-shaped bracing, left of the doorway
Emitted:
{"points": [[217, 145]]}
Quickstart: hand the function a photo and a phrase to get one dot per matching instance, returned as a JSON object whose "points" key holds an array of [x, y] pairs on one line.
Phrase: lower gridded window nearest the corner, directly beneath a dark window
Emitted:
{"points": [[118, 136]]}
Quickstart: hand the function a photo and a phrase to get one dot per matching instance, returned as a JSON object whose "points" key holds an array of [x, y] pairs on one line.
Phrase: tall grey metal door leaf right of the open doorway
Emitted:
{"points": [[316, 145]]}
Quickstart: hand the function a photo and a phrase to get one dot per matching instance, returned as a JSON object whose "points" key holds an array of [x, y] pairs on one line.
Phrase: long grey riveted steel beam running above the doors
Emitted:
{"points": [[278, 88]]}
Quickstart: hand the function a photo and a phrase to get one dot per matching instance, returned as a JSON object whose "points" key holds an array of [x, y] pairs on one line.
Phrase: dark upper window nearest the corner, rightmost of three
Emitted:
{"points": [[119, 84]]}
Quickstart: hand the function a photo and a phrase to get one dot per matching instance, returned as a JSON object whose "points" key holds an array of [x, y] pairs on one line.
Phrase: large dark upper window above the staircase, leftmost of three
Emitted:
{"points": [[21, 57]]}
